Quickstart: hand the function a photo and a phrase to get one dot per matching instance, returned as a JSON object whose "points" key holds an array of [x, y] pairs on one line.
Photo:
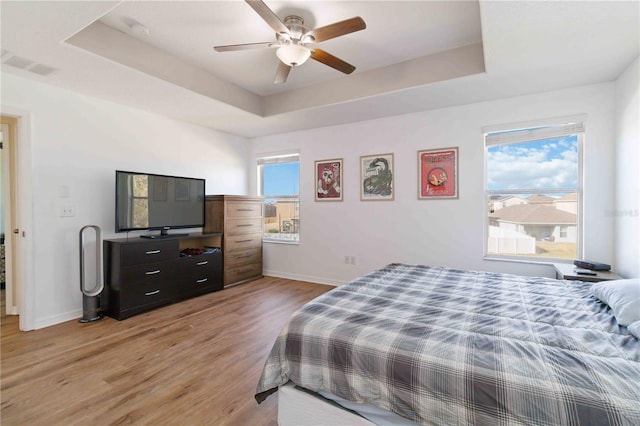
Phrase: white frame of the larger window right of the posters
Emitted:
{"points": [[529, 132]]}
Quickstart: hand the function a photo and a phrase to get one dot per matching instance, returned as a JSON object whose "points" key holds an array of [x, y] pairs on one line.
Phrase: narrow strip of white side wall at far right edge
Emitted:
{"points": [[627, 179]]}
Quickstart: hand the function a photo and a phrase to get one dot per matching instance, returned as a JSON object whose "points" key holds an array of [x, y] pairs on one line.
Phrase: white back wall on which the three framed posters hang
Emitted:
{"points": [[433, 232]]}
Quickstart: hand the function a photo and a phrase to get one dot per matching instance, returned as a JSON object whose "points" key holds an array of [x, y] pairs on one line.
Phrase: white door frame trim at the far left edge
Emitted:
{"points": [[24, 255]]}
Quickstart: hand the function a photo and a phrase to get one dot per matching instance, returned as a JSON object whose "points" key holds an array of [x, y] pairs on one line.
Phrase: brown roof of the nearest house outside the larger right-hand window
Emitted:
{"points": [[534, 214]]}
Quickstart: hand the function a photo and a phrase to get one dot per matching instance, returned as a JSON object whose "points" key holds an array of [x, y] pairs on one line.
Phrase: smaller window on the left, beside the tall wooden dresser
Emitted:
{"points": [[279, 184]]}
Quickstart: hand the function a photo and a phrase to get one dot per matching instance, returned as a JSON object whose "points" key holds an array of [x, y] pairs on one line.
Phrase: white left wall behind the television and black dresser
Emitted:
{"points": [[78, 142]]}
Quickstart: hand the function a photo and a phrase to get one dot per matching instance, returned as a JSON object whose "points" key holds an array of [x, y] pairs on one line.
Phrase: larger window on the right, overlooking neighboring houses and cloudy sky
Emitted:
{"points": [[533, 192]]}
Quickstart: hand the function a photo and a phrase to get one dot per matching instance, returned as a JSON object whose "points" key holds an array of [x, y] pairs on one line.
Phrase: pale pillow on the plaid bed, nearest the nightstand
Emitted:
{"points": [[622, 296]]}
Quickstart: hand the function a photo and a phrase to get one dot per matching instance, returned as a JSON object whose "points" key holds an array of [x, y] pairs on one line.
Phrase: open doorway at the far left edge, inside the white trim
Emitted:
{"points": [[8, 214]]}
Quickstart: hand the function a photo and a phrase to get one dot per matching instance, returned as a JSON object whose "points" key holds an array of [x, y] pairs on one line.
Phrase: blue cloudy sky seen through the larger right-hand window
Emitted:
{"points": [[549, 163]]}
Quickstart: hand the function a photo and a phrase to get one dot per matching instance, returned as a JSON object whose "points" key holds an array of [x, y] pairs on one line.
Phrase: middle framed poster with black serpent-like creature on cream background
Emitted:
{"points": [[376, 177]]}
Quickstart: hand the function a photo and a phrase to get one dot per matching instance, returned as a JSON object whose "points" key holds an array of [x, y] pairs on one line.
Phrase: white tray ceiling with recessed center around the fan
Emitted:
{"points": [[413, 56]]}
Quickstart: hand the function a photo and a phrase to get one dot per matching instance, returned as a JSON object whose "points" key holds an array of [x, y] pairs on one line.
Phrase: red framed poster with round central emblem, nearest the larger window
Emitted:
{"points": [[438, 173]]}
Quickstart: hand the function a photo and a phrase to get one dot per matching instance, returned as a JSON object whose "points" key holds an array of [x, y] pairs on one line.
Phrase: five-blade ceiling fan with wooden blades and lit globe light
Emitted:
{"points": [[293, 38]]}
